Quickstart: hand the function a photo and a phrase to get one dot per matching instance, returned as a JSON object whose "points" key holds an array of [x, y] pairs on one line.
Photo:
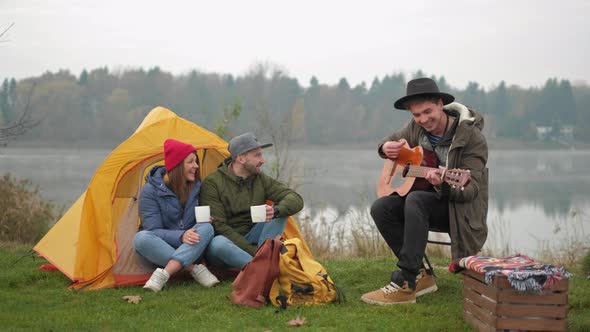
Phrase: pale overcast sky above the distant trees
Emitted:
{"points": [[521, 42]]}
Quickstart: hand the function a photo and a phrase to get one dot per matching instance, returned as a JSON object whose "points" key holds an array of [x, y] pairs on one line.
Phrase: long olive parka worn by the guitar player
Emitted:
{"points": [[468, 208]]}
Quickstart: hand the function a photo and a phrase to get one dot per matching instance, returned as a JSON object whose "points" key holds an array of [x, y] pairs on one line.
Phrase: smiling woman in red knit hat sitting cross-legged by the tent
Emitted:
{"points": [[169, 236]]}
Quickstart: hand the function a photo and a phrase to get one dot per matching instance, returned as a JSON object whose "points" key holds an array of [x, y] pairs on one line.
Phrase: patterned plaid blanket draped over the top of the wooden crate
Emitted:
{"points": [[523, 273]]}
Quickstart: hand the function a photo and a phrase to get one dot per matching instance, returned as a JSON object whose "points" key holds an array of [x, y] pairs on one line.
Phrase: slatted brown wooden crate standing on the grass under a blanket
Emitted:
{"points": [[498, 306]]}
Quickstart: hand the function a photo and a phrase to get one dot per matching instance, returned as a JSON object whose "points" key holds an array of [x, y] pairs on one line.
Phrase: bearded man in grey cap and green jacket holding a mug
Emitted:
{"points": [[230, 192]]}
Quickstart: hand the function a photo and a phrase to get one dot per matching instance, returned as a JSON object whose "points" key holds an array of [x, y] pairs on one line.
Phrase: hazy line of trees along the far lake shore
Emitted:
{"points": [[101, 106]]}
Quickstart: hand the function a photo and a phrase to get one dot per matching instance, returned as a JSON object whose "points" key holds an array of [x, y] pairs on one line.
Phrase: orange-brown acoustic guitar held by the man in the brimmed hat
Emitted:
{"points": [[407, 166]]}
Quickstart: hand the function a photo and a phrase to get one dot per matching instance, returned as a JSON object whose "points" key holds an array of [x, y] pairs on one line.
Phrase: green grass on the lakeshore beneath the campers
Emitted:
{"points": [[40, 301]]}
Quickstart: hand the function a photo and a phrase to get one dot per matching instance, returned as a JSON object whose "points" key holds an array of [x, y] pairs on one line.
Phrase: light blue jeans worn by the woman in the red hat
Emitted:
{"points": [[157, 251]]}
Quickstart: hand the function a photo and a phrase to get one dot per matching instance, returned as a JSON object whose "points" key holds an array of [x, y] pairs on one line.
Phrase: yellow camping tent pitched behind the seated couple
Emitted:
{"points": [[92, 244]]}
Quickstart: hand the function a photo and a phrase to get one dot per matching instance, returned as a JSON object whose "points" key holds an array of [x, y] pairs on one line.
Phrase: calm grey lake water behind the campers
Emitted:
{"points": [[538, 199]]}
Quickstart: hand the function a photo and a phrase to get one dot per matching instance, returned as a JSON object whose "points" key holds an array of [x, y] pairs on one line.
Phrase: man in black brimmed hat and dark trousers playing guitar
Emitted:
{"points": [[450, 135]]}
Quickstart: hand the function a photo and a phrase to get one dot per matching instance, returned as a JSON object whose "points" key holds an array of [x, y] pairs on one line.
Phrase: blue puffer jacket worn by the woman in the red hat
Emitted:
{"points": [[160, 209]]}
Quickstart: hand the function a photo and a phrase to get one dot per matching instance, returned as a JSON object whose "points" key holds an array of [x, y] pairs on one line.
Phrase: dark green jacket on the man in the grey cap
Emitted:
{"points": [[230, 197]]}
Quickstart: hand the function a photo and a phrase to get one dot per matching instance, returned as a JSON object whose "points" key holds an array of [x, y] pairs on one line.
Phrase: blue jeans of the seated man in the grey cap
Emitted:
{"points": [[222, 252]]}
